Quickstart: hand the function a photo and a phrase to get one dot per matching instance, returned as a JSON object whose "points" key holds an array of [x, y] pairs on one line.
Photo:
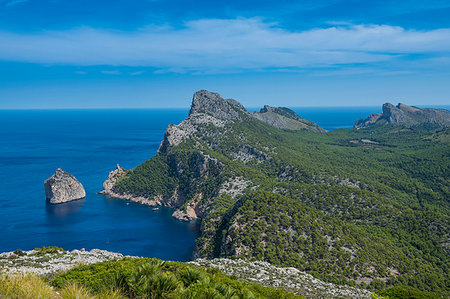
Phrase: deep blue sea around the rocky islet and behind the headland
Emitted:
{"points": [[89, 144]]}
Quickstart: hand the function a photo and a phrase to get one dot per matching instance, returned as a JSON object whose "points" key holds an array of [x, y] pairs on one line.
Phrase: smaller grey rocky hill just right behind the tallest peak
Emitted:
{"points": [[285, 118]]}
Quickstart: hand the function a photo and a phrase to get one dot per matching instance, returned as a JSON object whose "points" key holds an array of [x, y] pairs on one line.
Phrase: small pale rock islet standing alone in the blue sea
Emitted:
{"points": [[63, 187]]}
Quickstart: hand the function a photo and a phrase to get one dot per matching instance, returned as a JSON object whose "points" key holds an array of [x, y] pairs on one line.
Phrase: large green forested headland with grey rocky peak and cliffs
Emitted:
{"points": [[367, 208]]}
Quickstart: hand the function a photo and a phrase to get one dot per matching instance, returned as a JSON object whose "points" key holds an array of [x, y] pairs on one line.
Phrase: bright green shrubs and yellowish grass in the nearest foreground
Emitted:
{"points": [[135, 278]]}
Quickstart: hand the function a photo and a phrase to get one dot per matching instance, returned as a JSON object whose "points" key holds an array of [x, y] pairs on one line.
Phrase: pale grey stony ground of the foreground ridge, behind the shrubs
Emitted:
{"points": [[51, 261]]}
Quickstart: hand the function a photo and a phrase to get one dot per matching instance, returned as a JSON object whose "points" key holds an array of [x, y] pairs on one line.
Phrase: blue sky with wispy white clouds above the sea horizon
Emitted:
{"points": [[156, 53]]}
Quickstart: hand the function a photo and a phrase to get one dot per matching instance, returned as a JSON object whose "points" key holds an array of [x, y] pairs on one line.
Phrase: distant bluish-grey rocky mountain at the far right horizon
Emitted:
{"points": [[406, 116]]}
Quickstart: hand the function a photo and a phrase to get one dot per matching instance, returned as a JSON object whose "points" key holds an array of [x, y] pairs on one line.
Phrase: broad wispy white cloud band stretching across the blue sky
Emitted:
{"points": [[228, 45]]}
